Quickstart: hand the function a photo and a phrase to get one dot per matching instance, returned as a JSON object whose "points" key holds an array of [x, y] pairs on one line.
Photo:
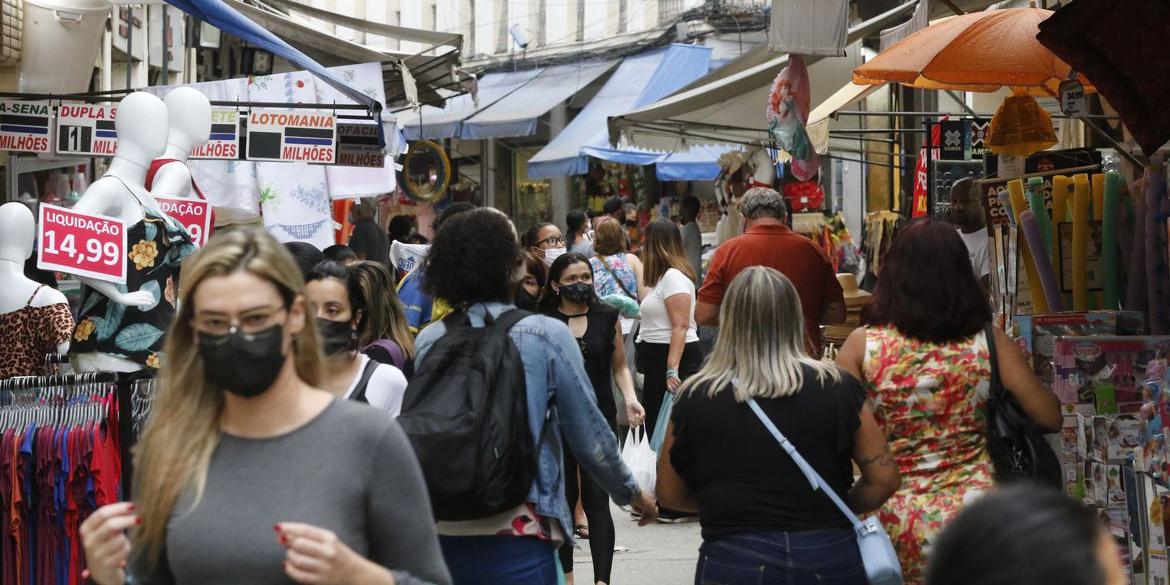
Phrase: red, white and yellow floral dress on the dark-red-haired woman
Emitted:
{"points": [[931, 400]]}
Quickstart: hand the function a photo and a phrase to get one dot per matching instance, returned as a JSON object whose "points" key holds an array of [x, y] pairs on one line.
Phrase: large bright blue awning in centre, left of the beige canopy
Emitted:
{"points": [[641, 80]]}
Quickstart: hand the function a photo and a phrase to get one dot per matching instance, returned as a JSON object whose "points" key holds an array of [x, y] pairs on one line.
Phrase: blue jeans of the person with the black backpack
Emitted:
{"points": [[500, 560]]}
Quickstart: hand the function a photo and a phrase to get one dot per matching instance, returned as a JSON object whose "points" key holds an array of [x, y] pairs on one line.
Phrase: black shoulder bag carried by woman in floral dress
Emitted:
{"points": [[1018, 450]]}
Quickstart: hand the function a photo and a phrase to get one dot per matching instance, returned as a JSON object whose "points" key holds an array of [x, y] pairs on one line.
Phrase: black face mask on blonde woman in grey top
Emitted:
{"points": [[243, 364]]}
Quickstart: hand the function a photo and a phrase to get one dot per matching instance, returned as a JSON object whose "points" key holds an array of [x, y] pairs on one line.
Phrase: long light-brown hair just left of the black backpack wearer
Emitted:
{"points": [[384, 316]]}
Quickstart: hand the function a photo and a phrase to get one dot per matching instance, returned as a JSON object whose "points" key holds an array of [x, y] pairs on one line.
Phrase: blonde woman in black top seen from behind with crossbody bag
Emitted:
{"points": [[762, 522]]}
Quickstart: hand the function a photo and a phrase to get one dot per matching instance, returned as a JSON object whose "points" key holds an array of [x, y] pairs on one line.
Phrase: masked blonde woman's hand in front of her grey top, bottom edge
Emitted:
{"points": [[316, 556]]}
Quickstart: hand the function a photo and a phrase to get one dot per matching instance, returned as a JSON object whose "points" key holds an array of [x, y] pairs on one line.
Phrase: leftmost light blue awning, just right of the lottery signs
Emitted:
{"points": [[433, 122]]}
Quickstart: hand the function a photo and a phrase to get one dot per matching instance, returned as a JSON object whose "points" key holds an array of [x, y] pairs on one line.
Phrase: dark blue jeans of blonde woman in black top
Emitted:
{"points": [[782, 559]]}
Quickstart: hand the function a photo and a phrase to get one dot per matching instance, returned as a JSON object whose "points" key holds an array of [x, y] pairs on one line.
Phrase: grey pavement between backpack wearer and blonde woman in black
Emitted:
{"points": [[655, 555]]}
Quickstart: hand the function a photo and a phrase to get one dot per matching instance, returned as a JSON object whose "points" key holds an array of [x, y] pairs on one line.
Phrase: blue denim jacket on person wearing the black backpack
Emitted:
{"points": [[558, 386]]}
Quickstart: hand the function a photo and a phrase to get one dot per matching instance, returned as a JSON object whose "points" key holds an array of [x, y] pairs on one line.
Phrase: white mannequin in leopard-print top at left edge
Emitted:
{"points": [[35, 319]]}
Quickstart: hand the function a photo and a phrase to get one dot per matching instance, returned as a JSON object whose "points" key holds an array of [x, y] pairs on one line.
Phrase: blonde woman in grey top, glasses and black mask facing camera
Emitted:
{"points": [[242, 443]]}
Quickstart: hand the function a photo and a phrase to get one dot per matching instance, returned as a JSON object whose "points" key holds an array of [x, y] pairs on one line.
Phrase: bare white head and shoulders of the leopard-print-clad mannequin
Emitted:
{"points": [[18, 232]]}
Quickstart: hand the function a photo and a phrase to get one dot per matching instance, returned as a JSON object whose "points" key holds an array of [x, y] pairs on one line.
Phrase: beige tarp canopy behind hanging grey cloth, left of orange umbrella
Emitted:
{"points": [[729, 106]]}
